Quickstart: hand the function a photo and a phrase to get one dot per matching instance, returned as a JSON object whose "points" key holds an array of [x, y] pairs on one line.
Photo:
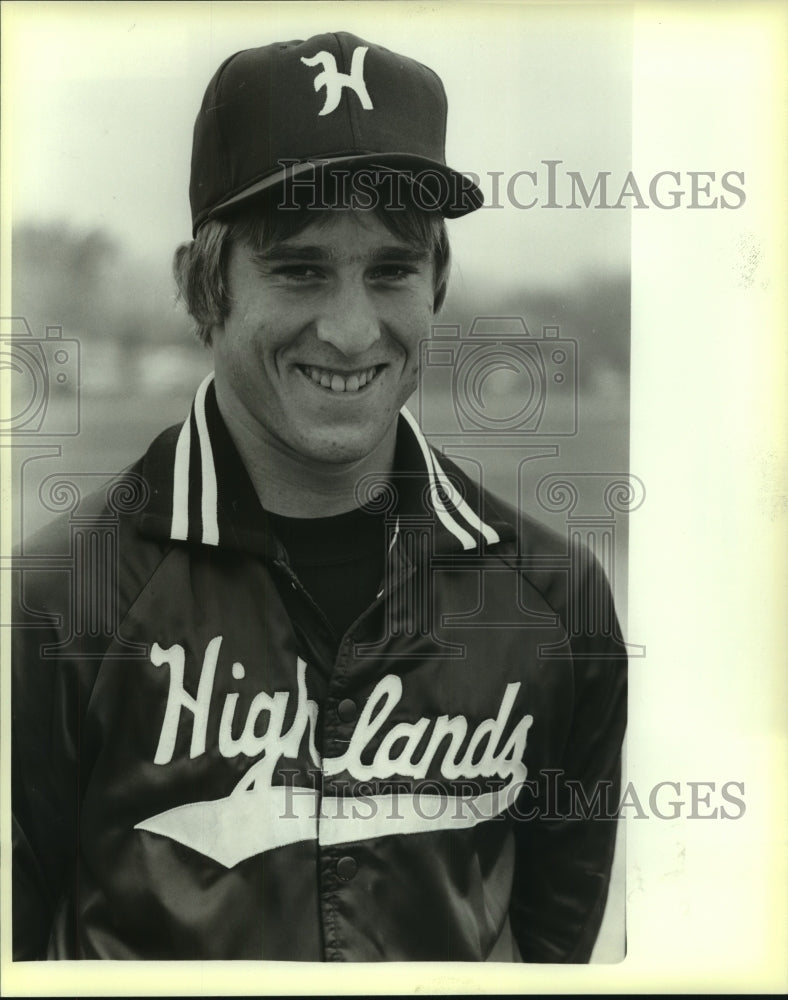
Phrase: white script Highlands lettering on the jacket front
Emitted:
{"points": [[398, 751]]}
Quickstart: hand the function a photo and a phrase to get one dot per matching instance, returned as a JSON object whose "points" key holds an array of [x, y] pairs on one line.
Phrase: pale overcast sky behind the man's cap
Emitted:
{"points": [[105, 96]]}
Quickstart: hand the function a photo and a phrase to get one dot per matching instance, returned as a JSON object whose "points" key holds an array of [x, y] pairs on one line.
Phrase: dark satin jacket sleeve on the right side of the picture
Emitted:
{"points": [[565, 850]]}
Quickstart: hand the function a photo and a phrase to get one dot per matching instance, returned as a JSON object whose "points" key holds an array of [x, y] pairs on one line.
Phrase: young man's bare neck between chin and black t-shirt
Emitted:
{"points": [[290, 484]]}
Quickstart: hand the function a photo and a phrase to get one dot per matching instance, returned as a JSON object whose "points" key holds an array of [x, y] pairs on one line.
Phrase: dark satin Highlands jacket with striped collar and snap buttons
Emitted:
{"points": [[197, 776]]}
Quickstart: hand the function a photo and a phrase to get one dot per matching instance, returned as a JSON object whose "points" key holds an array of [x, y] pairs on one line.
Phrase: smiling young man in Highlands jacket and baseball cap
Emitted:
{"points": [[268, 709]]}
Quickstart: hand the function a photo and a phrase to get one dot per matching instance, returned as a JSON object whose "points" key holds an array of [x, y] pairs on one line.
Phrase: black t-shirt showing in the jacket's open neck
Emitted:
{"points": [[340, 560]]}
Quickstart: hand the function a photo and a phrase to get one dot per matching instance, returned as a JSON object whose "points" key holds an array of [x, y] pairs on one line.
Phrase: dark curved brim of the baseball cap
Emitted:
{"points": [[439, 188]]}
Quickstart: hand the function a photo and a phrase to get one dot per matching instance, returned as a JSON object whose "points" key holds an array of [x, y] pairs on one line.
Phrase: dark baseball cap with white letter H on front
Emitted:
{"points": [[333, 101]]}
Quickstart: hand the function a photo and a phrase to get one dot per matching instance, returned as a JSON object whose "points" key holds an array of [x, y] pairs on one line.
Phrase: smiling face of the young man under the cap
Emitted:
{"points": [[320, 349]]}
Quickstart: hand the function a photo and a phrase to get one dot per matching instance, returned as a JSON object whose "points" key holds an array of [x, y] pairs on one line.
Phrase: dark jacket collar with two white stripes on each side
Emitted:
{"points": [[202, 494]]}
